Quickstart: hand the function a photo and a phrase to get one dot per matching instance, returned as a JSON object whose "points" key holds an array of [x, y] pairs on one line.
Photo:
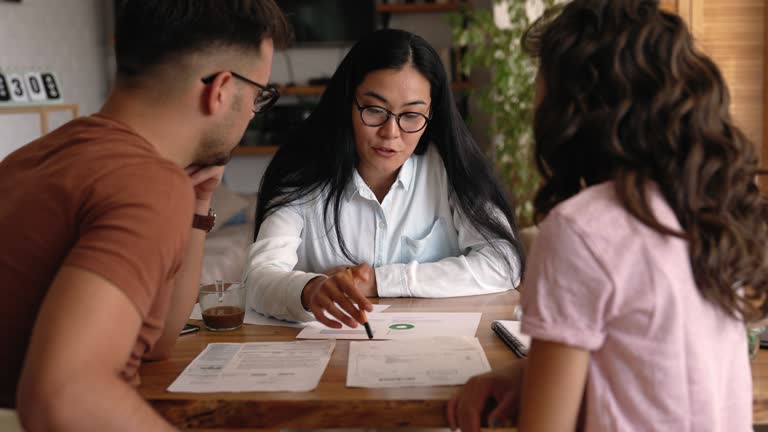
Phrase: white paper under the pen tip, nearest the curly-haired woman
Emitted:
{"points": [[437, 361]]}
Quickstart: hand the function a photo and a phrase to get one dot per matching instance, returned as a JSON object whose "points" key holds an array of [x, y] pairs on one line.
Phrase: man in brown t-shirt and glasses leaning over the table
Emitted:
{"points": [[100, 261]]}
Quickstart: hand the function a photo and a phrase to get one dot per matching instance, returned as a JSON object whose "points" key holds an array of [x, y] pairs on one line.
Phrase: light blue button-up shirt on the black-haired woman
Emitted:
{"points": [[418, 242]]}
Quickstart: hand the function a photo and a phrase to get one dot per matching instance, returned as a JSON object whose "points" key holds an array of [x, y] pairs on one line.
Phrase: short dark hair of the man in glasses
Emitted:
{"points": [[150, 33]]}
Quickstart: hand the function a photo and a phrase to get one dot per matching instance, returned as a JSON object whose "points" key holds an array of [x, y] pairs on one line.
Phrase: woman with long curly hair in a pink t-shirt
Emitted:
{"points": [[652, 247]]}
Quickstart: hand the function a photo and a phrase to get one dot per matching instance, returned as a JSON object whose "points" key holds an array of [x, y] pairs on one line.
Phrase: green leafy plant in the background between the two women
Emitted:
{"points": [[491, 39]]}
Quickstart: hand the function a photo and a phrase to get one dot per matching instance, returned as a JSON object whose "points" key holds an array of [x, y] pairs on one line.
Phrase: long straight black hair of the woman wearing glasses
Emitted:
{"points": [[322, 156]]}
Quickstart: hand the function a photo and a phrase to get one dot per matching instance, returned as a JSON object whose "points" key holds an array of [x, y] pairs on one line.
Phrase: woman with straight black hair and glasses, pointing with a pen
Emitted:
{"points": [[382, 192]]}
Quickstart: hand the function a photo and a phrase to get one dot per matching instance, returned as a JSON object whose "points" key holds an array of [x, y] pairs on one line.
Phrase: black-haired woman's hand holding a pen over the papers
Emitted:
{"points": [[338, 294]]}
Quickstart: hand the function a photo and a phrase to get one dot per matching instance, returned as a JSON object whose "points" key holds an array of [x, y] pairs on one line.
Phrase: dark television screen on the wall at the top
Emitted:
{"points": [[317, 22]]}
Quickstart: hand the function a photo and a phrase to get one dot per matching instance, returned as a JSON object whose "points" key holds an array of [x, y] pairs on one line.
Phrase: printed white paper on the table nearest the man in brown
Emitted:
{"points": [[256, 366]]}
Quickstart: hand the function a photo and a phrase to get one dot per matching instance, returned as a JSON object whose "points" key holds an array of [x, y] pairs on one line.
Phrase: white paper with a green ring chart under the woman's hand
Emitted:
{"points": [[401, 325]]}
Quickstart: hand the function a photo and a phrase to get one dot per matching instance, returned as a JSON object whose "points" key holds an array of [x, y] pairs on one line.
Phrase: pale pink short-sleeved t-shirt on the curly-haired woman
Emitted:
{"points": [[661, 357]]}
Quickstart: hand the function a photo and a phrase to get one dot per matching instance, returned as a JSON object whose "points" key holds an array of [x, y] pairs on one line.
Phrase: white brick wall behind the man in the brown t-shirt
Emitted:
{"points": [[66, 37]]}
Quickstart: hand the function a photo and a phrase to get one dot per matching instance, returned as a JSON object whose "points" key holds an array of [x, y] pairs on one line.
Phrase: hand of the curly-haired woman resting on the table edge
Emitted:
{"points": [[499, 389]]}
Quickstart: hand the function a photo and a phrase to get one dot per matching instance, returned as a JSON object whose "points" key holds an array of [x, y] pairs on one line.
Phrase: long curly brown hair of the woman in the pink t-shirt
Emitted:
{"points": [[627, 97]]}
